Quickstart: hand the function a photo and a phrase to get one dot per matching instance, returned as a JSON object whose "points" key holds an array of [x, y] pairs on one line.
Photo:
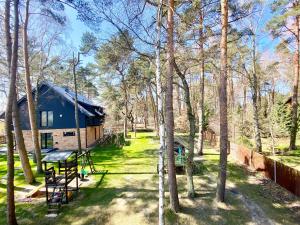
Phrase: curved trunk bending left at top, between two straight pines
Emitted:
{"points": [[192, 121]]}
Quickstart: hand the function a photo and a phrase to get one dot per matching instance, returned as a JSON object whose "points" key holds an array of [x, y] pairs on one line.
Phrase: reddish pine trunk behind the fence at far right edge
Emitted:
{"points": [[294, 127]]}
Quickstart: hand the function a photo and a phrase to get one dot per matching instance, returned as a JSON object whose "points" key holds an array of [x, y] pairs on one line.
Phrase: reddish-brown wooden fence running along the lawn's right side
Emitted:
{"points": [[285, 176]]}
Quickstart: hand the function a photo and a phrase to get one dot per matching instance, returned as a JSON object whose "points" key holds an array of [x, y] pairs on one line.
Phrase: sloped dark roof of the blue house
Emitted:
{"points": [[85, 105]]}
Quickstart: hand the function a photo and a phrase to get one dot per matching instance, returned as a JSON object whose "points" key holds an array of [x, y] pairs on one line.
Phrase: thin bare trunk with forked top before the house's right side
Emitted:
{"points": [[76, 102]]}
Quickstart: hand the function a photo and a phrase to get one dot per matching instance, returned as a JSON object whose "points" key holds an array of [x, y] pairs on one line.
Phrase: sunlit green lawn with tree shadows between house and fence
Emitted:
{"points": [[128, 194]]}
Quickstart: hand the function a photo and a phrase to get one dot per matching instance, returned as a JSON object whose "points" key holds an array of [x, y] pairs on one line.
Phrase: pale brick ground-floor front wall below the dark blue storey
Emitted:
{"points": [[59, 141]]}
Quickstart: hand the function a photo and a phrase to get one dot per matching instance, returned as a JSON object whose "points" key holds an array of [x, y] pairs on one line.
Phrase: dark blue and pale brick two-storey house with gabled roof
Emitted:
{"points": [[56, 119]]}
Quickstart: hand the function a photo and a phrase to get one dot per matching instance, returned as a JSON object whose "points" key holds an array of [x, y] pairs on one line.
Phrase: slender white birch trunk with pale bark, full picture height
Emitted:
{"points": [[160, 113]]}
